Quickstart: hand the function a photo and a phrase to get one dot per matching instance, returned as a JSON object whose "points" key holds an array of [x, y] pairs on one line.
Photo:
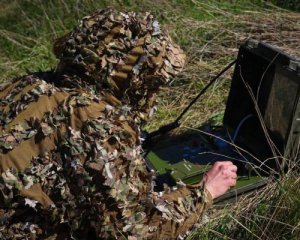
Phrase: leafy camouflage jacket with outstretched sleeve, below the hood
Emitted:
{"points": [[71, 165]]}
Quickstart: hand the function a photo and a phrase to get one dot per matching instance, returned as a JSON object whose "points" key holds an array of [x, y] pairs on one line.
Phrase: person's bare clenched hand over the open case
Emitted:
{"points": [[220, 178]]}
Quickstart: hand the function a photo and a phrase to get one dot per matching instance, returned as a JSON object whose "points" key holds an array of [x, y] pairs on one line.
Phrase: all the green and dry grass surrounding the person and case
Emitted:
{"points": [[210, 33]]}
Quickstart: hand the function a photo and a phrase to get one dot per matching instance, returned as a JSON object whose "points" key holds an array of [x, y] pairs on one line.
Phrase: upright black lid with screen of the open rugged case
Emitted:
{"points": [[263, 93]]}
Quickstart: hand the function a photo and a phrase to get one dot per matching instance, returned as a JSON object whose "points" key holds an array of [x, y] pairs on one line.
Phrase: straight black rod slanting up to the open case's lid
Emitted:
{"points": [[176, 123]]}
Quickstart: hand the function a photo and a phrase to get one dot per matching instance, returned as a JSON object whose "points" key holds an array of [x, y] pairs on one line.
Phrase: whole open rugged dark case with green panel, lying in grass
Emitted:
{"points": [[260, 128]]}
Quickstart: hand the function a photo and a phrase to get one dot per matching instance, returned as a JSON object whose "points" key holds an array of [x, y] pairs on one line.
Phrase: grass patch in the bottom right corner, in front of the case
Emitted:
{"points": [[273, 213]]}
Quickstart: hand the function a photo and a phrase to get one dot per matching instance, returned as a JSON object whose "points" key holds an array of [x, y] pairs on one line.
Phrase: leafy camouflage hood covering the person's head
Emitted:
{"points": [[125, 53]]}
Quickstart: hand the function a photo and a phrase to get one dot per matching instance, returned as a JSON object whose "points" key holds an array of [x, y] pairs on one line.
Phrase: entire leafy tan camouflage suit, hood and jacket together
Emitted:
{"points": [[71, 162]]}
